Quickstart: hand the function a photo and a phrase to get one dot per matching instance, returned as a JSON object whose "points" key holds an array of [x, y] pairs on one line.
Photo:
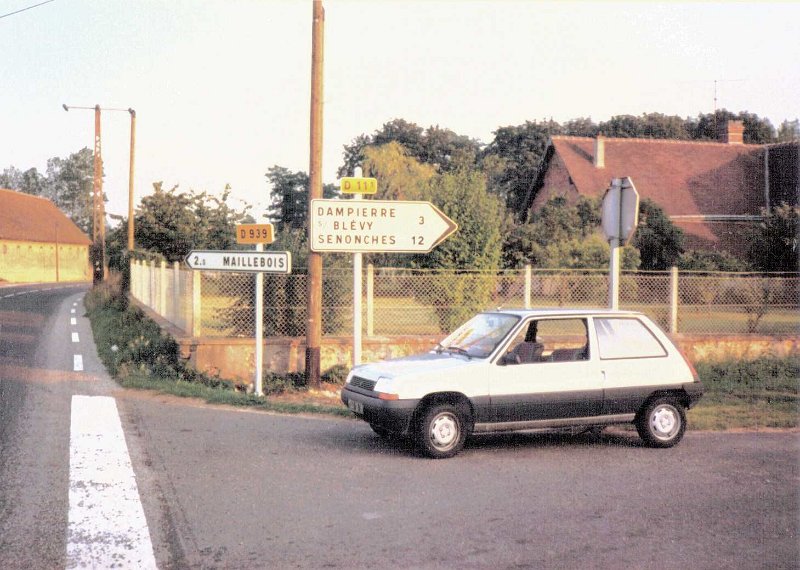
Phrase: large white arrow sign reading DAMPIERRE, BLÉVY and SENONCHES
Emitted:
{"points": [[377, 226]]}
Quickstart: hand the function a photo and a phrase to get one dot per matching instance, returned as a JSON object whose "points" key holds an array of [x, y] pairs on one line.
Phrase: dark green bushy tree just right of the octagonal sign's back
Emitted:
{"points": [[659, 241]]}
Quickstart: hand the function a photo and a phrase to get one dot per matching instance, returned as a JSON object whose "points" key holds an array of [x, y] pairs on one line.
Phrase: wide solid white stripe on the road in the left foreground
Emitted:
{"points": [[107, 526]]}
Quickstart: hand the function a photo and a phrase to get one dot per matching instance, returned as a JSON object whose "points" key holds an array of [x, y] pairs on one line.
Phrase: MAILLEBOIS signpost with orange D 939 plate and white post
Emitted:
{"points": [[258, 262]]}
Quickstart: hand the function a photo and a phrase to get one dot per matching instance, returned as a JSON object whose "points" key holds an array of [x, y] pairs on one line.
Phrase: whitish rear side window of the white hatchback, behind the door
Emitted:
{"points": [[626, 338]]}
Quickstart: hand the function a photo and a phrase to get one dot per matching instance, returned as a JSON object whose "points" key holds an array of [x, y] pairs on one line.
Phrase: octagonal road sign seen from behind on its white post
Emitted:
{"points": [[619, 220]]}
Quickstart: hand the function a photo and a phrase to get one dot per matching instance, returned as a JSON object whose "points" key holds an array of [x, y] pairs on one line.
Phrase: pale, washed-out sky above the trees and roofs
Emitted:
{"points": [[221, 88]]}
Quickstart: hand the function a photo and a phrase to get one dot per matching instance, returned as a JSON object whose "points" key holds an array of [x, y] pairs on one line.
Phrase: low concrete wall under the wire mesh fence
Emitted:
{"points": [[234, 358]]}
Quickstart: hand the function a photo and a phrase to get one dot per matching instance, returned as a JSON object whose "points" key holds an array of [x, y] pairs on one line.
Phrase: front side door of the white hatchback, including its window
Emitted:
{"points": [[556, 379]]}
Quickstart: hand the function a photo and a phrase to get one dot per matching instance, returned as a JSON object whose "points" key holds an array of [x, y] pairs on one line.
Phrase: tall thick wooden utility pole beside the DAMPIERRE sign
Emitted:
{"points": [[314, 324]]}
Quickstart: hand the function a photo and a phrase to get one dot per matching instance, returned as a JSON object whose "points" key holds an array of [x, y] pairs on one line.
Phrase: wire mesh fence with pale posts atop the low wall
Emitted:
{"points": [[433, 302]]}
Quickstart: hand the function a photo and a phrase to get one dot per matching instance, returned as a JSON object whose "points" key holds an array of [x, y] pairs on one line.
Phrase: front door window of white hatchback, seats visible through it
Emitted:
{"points": [[549, 340]]}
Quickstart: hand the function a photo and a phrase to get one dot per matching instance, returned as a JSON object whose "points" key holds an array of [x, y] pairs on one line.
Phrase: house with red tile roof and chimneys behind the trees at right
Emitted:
{"points": [[713, 191]]}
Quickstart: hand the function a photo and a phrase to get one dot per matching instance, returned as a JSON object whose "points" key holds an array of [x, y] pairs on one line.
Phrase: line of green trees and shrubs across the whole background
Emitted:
{"points": [[481, 186]]}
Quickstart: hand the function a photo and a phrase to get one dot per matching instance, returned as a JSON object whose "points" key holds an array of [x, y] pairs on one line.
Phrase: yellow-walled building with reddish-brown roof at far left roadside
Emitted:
{"points": [[38, 243]]}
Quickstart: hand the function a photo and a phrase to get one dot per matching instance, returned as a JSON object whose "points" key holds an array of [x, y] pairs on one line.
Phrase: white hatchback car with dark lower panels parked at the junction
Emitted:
{"points": [[512, 370]]}
